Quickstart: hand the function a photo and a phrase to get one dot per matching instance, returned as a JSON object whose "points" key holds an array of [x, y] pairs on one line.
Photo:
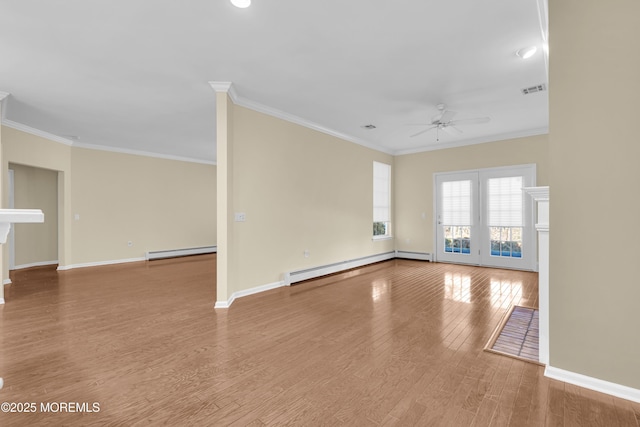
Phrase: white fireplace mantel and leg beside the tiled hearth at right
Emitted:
{"points": [[541, 196]]}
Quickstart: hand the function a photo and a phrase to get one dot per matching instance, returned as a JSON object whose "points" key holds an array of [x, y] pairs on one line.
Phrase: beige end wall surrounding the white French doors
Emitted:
{"points": [[414, 181]]}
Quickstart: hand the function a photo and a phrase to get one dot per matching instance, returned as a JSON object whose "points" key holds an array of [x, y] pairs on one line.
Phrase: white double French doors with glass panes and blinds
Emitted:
{"points": [[484, 218]]}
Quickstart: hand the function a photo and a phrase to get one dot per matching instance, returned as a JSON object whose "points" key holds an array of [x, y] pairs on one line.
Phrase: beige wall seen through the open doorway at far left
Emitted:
{"points": [[36, 188]]}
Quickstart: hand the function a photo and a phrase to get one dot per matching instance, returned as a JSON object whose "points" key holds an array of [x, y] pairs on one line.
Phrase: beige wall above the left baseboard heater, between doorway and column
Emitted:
{"points": [[156, 204]]}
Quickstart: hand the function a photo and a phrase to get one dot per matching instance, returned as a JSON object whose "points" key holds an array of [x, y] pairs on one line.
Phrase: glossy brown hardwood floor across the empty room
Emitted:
{"points": [[396, 343]]}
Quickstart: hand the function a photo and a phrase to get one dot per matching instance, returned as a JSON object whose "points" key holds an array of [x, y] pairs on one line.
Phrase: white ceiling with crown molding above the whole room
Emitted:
{"points": [[133, 75]]}
